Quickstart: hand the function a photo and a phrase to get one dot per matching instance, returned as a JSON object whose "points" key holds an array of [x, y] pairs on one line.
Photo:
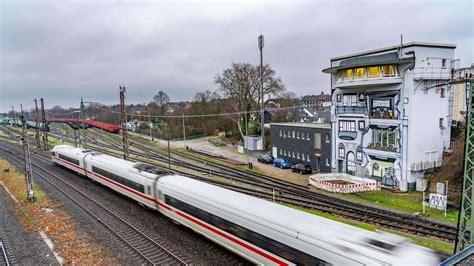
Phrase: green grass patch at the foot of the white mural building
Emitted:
{"points": [[408, 202]]}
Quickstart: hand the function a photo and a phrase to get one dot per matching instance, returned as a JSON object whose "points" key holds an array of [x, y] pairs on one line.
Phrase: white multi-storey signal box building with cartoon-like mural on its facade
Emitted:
{"points": [[392, 111]]}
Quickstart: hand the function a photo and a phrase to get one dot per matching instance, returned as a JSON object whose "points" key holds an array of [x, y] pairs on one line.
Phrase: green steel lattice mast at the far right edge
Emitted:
{"points": [[465, 235]]}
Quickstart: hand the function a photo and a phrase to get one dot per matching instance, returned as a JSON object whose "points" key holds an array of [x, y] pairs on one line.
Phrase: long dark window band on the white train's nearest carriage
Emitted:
{"points": [[248, 235]]}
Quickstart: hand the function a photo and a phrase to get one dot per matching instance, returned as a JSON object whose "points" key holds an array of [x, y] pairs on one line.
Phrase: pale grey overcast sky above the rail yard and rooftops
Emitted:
{"points": [[62, 50]]}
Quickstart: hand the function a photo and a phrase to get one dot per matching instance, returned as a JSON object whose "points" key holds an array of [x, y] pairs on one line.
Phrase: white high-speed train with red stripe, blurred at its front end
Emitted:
{"points": [[261, 231]]}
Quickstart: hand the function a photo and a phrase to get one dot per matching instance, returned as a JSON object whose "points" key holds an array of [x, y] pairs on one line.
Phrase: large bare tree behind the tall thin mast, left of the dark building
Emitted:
{"points": [[241, 84]]}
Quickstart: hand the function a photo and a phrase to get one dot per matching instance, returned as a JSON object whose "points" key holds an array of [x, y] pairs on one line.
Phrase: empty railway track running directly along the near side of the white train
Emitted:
{"points": [[143, 247]]}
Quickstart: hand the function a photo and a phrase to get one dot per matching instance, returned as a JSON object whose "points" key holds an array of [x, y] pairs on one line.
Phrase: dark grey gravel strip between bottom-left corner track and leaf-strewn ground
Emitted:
{"points": [[28, 247]]}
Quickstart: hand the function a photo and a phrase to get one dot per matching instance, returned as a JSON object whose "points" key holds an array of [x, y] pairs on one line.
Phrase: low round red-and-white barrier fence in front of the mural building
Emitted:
{"points": [[357, 184]]}
